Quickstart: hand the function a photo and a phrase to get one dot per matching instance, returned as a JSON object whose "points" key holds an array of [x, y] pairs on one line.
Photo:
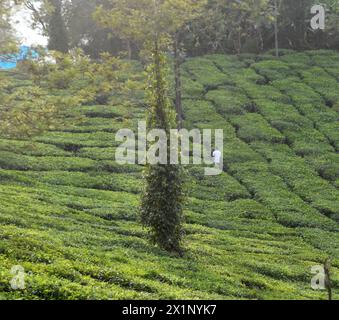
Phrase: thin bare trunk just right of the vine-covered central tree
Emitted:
{"points": [[178, 85]]}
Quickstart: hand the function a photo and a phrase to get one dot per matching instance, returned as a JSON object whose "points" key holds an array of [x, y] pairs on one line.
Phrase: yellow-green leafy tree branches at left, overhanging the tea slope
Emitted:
{"points": [[42, 105]]}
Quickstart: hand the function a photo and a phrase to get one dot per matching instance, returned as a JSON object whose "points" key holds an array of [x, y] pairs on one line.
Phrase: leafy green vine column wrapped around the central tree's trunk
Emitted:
{"points": [[162, 200]]}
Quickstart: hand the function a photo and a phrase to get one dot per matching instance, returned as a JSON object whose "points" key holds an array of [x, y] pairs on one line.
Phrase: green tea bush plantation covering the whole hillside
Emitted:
{"points": [[68, 212]]}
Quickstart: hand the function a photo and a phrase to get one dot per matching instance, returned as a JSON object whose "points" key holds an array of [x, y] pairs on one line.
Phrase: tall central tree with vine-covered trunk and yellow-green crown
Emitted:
{"points": [[154, 25]]}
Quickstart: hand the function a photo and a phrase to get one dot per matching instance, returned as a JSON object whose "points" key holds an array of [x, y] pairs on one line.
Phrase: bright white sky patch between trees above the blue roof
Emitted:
{"points": [[22, 25]]}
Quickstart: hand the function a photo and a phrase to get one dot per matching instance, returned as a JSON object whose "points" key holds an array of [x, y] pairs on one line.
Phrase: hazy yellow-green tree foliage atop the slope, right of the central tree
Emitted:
{"points": [[230, 26]]}
